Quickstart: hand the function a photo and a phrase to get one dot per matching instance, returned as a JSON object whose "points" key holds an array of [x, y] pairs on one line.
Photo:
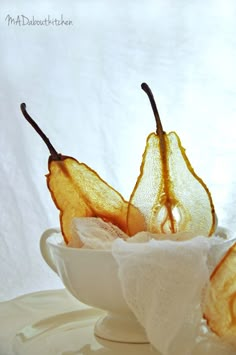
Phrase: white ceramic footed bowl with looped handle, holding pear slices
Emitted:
{"points": [[92, 277]]}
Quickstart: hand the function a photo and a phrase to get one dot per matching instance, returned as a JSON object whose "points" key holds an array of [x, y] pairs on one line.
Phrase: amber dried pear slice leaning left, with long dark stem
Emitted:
{"points": [[78, 191]]}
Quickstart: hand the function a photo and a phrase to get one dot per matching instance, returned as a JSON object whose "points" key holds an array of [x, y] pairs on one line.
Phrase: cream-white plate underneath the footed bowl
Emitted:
{"points": [[54, 323]]}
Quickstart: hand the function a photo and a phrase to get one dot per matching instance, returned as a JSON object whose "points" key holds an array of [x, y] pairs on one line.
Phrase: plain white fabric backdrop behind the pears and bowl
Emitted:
{"points": [[81, 82]]}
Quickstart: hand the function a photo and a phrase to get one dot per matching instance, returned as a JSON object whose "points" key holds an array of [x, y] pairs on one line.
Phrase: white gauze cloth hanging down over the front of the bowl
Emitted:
{"points": [[163, 282]]}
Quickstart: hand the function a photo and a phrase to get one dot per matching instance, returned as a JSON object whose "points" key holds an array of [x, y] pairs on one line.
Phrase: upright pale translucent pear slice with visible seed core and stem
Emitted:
{"points": [[168, 193]]}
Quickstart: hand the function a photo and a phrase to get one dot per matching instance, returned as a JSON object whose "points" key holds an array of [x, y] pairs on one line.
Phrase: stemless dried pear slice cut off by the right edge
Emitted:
{"points": [[220, 299]]}
